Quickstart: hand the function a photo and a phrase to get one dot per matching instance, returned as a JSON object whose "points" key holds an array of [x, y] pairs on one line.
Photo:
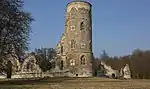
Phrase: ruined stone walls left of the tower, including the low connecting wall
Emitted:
{"points": [[30, 69]]}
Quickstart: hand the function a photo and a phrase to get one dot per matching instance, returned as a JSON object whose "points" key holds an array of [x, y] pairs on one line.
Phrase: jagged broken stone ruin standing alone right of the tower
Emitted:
{"points": [[124, 73]]}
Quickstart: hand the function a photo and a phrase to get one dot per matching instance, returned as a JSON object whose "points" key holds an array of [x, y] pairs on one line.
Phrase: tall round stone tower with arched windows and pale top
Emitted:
{"points": [[78, 42]]}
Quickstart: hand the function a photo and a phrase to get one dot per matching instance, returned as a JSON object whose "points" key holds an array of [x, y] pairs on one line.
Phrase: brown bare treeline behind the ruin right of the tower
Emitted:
{"points": [[139, 62]]}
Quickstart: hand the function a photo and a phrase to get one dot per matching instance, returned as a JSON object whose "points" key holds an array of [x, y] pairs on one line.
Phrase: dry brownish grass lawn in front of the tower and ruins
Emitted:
{"points": [[74, 83]]}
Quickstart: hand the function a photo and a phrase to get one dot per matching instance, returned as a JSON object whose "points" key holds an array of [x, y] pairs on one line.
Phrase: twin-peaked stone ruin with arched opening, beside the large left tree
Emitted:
{"points": [[27, 69]]}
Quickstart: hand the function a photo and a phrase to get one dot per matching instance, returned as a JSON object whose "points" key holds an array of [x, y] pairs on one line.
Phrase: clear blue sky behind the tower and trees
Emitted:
{"points": [[119, 26]]}
